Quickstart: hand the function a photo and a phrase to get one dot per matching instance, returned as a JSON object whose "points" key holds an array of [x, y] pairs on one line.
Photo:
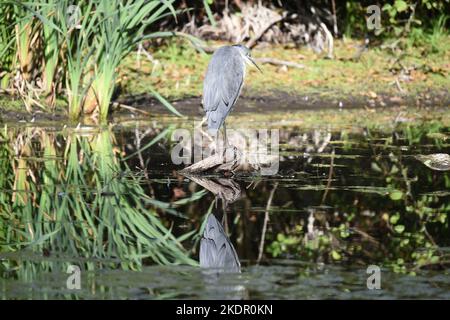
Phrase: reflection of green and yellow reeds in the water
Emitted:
{"points": [[79, 201]]}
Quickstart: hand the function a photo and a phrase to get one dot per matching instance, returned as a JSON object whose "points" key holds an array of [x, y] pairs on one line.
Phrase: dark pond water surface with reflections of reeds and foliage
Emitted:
{"points": [[110, 201]]}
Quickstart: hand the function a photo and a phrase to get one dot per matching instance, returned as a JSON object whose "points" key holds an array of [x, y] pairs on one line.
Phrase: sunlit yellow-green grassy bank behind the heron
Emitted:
{"points": [[183, 70]]}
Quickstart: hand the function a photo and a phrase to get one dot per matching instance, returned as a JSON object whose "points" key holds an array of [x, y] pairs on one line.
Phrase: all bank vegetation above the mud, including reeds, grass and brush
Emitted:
{"points": [[84, 56]]}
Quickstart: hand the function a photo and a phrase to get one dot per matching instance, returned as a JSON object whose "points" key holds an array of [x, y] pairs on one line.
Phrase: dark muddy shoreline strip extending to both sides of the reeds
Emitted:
{"points": [[145, 105]]}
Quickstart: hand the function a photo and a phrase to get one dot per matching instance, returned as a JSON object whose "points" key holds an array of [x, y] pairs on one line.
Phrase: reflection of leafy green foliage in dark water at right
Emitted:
{"points": [[404, 229]]}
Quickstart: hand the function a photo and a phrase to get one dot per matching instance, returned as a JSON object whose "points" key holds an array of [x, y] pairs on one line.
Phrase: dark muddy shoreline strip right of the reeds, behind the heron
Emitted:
{"points": [[283, 101]]}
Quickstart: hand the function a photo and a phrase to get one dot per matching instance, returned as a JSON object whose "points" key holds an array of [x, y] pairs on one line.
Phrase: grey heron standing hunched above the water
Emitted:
{"points": [[223, 83]]}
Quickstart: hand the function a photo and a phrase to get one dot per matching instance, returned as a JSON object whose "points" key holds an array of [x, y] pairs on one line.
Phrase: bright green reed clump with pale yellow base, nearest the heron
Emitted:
{"points": [[103, 34]]}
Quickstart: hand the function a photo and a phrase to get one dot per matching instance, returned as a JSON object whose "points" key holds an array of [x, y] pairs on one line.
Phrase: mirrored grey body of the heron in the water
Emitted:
{"points": [[216, 249]]}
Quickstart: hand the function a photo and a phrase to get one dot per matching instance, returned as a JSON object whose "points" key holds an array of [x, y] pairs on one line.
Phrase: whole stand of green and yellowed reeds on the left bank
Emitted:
{"points": [[76, 50]]}
